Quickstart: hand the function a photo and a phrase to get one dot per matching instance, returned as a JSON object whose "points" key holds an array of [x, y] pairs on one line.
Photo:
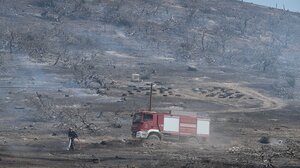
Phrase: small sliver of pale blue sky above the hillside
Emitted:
{"points": [[292, 5]]}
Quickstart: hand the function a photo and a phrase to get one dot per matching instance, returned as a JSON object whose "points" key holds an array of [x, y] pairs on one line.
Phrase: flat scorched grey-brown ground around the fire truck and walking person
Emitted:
{"points": [[33, 131]]}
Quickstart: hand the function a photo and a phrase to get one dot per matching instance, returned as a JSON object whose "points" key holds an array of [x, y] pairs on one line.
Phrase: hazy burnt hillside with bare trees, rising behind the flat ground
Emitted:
{"points": [[95, 36]]}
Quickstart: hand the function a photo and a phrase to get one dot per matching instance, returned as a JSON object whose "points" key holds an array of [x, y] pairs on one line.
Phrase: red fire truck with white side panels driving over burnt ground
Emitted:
{"points": [[156, 125]]}
